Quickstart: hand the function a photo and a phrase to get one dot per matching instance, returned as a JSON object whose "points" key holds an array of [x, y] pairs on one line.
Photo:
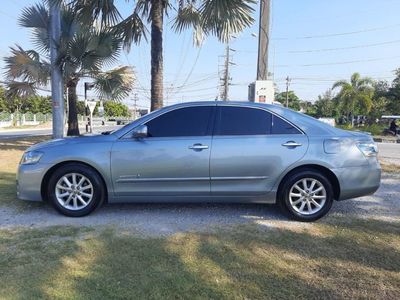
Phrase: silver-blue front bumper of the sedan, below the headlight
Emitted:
{"points": [[29, 181]]}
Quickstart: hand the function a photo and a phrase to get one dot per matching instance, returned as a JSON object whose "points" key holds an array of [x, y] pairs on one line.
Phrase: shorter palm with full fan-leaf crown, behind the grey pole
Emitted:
{"points": [[84, 49]]}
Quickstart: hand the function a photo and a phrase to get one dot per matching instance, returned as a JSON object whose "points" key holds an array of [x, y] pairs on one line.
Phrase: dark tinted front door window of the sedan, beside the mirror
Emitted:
{"points": [[190, 121]]}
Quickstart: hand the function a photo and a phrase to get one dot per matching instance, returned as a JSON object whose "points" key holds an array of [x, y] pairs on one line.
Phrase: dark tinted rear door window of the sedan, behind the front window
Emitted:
{"points": [[242, 121]]}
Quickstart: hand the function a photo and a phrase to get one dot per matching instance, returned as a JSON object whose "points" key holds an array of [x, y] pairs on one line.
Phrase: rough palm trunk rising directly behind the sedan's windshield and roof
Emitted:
{"points": [[157, 16]]}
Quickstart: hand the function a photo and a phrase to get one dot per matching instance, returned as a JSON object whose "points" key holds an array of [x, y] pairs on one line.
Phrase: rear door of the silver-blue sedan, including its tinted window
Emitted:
{"points": [[251, 147]]}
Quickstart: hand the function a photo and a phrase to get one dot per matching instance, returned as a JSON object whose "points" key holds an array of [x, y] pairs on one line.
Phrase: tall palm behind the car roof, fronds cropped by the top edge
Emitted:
{"points": [[221, 18]]}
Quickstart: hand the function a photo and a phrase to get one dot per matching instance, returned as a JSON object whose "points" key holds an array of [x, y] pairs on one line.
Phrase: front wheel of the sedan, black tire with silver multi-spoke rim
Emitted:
{"points": [[75, 190]]}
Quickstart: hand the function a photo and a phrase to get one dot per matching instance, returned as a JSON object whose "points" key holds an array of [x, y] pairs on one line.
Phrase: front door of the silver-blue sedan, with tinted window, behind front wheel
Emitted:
{"points": [[172, 160]]}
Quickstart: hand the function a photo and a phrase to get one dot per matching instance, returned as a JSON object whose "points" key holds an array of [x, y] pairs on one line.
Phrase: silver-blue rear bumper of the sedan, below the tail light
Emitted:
{"points": [[358, 181]]}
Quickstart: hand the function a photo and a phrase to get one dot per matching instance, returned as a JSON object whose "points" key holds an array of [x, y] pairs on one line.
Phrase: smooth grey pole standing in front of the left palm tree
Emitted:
{"points": [[56, 76]]}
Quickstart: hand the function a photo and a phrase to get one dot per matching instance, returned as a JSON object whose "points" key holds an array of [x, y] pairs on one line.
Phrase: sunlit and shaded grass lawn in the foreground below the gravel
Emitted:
{"points": [[342, 259]]}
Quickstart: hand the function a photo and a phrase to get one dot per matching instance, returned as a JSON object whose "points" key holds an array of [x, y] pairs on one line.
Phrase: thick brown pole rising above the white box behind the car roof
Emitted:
{"points": [[263, 40]]}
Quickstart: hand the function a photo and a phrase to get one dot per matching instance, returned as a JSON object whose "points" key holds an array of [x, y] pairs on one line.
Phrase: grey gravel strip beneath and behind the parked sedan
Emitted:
{"points": [[167, 219]]}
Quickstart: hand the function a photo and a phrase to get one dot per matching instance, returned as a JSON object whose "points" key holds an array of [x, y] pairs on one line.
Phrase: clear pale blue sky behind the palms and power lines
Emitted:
{"points": [[314, 42]]}
